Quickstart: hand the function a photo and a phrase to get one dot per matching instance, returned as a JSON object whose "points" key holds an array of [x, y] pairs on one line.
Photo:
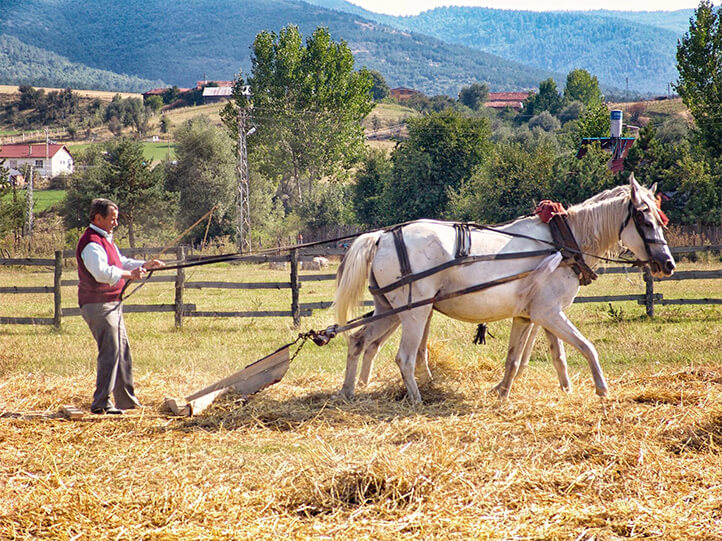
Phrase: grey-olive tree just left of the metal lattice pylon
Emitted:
{"points": [[204, 175]]}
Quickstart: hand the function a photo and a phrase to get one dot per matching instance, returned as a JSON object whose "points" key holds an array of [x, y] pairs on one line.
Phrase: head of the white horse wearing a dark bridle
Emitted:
{"points": [[642, 231]]}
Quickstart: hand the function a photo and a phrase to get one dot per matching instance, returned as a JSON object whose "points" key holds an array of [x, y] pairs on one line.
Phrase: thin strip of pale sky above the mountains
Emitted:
{"points": [[413, 7]]}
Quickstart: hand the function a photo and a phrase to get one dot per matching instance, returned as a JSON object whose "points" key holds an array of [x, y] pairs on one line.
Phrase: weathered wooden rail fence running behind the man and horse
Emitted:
{"points": [[298, 309]]}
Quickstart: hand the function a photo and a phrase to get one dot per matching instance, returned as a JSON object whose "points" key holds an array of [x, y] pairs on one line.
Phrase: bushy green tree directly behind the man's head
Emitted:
{"points": [[123, 175]]}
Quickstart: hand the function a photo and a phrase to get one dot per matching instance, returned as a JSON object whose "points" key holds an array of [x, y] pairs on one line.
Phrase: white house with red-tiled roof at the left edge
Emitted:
{"points": [[47, 160]]}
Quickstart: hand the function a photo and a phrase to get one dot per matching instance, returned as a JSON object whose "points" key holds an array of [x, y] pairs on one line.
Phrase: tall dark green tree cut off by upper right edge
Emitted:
{"points": [[699, 62]]}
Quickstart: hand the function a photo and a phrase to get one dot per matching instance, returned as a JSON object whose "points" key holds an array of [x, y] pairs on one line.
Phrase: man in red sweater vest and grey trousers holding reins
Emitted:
{"points": [[102, 273]]}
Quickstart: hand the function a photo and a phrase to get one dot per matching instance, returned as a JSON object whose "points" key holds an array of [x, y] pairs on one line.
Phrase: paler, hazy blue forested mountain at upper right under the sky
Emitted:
{"points": [[620, 48]]}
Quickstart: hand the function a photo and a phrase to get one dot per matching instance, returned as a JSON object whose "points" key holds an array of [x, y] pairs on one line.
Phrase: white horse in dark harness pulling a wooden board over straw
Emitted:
{"points": [[622, 217]]}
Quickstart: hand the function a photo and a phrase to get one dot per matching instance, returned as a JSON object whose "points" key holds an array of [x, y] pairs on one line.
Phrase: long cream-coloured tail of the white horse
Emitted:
{"points": [[353, 273]]}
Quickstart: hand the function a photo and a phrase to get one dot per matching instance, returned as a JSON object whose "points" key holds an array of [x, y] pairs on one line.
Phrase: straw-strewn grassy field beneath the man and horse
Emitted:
{"points": [[294, 461]]}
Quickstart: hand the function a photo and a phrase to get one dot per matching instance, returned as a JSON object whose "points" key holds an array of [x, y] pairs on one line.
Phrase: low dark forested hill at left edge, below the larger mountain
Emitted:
{"points": [[24, 64]]}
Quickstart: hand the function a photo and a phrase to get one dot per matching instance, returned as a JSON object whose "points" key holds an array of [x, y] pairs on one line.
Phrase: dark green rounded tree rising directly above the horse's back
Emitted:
{"points": [[442, 151]]}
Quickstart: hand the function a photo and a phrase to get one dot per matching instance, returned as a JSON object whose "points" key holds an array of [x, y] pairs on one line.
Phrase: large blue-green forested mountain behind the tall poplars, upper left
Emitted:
{"points": [[183, 42]]}
